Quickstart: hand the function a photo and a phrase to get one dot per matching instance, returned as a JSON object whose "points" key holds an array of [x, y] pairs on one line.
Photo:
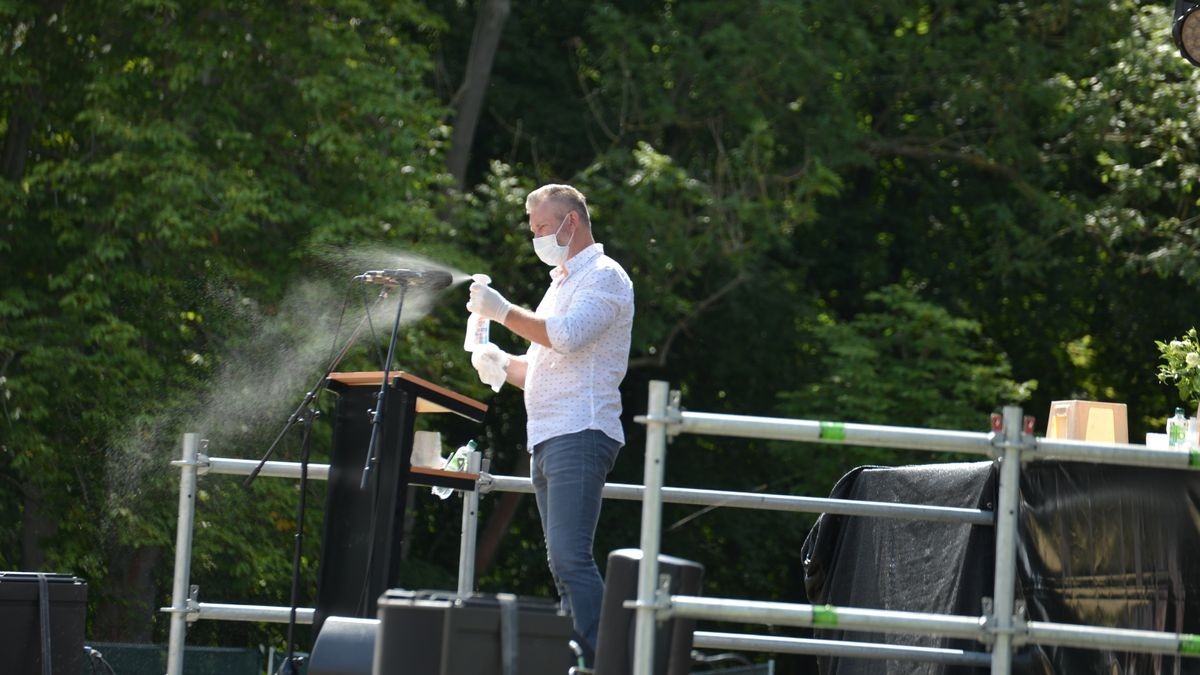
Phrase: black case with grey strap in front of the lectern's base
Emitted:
{"points": [[437, 634]]}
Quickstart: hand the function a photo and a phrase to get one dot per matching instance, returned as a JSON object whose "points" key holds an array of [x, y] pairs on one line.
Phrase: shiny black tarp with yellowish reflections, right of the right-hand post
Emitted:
{"points": [[1112, 546]]}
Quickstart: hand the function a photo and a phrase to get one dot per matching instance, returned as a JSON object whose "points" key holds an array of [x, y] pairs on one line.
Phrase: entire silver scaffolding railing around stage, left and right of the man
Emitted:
{"points": [[1003, 630]]}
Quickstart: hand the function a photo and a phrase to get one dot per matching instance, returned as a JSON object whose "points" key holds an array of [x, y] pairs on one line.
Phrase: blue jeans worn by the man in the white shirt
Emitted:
{"points": [[568, 476]]}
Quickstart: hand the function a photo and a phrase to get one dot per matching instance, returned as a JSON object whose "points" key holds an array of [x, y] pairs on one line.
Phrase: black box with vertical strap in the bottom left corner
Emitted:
{"points": [[22, 641]]}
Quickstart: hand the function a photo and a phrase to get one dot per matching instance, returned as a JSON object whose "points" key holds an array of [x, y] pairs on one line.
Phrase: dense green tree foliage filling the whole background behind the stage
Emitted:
{"points": [[878, 212]]}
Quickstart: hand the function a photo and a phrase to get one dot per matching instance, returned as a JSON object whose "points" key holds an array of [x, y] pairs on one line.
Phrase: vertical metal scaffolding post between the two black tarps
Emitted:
{"points": [[1012, 440]]}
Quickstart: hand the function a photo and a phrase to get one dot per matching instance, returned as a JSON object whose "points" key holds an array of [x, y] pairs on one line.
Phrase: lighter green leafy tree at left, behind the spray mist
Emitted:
{"points": [[185, 159]]}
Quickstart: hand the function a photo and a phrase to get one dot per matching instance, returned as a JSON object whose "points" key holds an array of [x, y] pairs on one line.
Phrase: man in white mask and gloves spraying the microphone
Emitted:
{"points": [[578, 357]]}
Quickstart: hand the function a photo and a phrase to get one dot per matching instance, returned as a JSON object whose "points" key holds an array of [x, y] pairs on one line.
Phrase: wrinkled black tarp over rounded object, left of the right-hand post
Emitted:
{"points": [[903, 565]]}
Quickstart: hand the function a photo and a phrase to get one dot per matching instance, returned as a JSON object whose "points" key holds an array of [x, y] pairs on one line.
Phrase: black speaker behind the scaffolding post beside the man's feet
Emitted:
{"points": [[673, 640]]}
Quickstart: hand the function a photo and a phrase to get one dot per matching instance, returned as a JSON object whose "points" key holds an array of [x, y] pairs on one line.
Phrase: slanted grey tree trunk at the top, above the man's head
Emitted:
{"points": [[469, 101]]}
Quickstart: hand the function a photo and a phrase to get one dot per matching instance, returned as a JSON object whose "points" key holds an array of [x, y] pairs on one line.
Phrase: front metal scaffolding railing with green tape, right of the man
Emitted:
{"points": [[1011, 440]]}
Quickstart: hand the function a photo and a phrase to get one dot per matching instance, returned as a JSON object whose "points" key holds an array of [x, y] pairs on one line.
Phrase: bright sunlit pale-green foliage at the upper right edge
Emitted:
{"points": [[1136, 124]]}
